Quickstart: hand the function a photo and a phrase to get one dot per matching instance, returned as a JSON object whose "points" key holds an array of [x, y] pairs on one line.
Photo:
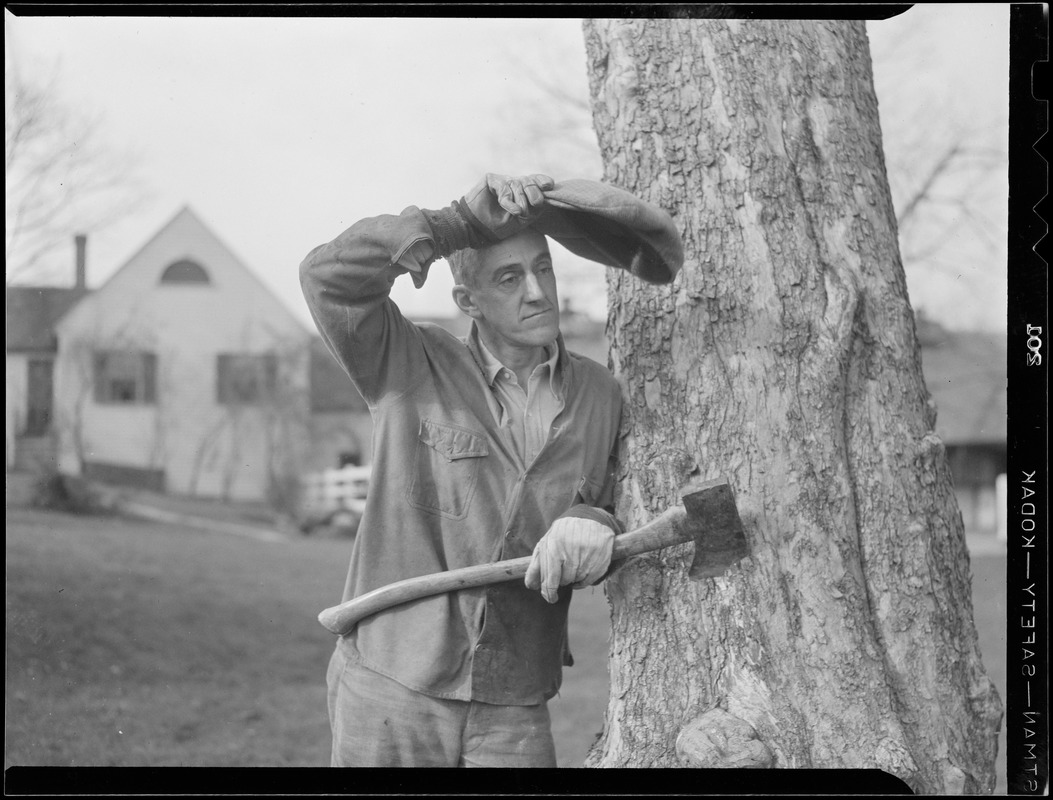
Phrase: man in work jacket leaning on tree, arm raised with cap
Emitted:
{"points": [[496, 447]]}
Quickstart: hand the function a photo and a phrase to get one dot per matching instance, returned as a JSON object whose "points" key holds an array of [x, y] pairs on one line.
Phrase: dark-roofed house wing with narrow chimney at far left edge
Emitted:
{"points": [[32, 347]]}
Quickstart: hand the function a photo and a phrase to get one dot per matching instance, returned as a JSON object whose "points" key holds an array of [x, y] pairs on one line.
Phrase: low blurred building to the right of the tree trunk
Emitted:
{"points": [[966, 373]]}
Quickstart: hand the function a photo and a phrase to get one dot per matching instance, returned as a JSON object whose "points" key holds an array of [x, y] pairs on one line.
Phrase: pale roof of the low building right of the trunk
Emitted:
{"points": [[966, 373]]}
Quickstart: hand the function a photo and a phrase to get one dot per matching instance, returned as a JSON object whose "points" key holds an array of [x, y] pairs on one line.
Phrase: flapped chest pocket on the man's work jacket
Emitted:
{"points": [[447, 469]]}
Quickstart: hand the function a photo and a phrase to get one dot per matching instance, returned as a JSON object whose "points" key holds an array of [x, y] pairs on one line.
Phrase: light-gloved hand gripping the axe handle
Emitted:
{"points": [[574, 551]]}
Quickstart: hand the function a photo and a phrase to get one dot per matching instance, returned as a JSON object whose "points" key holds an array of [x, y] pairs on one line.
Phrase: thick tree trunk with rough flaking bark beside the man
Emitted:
{"points": [[785, 359]]}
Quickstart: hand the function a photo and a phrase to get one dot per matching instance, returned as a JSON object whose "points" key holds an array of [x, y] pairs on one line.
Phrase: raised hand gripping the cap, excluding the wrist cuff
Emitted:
{"points": [[500, 207]]}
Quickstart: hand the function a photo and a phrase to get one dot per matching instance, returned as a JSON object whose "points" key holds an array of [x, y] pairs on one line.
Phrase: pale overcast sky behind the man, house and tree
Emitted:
{"points": [[281, 133]]}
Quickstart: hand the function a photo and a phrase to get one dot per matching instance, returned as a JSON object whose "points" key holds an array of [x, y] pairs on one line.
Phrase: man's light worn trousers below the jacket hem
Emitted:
{"points": [[376, 722]]}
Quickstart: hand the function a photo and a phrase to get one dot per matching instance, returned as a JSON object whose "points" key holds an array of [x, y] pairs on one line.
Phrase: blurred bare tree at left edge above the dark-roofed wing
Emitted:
{"points": [[62, 178]]}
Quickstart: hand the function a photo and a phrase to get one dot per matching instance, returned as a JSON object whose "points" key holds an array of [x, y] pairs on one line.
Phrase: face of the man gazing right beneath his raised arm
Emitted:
{"points": [[514, 297]]}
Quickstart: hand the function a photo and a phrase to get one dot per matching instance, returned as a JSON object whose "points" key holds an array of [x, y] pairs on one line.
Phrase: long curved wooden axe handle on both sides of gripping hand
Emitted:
{"points": [[671, 528]]}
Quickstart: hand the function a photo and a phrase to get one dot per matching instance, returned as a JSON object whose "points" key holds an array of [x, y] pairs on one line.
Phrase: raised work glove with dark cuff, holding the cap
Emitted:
{"points": [[496, 208]]}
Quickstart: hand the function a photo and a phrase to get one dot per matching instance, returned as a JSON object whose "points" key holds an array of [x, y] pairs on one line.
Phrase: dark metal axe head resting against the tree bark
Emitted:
{"points": [[718, 530]]}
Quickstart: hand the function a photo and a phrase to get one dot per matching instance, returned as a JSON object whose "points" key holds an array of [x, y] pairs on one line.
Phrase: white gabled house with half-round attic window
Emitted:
{"points": [[184, 373]]}
